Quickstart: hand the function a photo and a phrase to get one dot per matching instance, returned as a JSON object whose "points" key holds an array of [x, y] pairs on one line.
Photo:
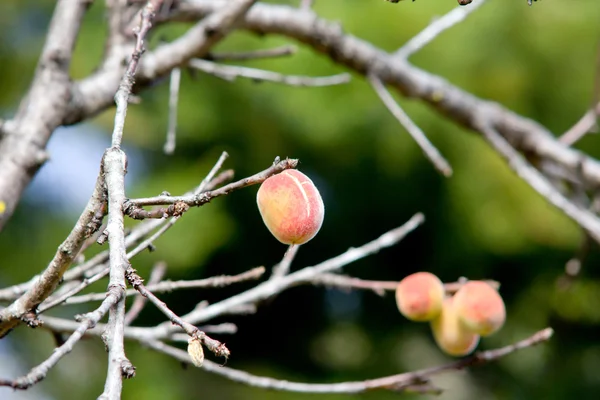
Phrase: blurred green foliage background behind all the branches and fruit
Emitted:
{"points": [[481, 223]]}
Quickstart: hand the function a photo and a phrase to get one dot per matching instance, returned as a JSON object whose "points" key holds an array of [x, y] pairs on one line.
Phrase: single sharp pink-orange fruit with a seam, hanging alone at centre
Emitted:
{"points": [[291, 207]]}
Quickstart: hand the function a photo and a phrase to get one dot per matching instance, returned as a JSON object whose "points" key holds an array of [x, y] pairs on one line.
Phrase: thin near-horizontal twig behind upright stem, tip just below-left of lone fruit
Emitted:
{"points": [[170, 286]]}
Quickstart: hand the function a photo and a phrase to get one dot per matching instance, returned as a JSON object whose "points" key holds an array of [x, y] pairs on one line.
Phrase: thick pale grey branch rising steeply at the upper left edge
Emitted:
{"points": [[22, 148]]}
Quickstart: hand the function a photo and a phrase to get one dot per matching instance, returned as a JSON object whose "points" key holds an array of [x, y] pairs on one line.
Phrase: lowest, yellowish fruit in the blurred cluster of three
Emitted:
{"points": [[449, 334]]}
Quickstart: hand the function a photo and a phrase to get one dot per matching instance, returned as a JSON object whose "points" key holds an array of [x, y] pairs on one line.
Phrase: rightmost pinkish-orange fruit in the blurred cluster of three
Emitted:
{"points": [[480, 308]]}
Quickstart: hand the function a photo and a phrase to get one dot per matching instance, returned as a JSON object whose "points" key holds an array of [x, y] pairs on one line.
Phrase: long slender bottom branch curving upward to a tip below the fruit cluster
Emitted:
{"points": [[396, 383]]}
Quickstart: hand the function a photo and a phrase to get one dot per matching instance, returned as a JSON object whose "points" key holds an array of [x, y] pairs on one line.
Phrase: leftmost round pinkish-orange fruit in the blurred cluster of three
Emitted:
{"points": [[419, 296]]}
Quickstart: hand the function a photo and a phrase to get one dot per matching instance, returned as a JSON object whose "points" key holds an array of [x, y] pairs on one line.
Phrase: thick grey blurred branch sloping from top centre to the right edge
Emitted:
{"points": [[462, 107]]}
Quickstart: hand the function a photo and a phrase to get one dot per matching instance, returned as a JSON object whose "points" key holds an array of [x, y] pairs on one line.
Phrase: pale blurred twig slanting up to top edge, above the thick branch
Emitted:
{"points": [[435, 28]]}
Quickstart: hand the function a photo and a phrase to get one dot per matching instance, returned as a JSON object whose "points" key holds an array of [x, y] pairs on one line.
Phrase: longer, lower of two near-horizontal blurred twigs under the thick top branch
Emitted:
{"points": [[231, 72]]}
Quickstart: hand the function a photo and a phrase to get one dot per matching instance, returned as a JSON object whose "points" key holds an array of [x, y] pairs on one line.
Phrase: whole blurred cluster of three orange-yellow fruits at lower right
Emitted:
{"points": [[457, 321]]}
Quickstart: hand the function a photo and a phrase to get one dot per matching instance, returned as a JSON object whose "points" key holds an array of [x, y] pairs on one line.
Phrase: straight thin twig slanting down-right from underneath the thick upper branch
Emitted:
{"points": [[417, 134]]}
